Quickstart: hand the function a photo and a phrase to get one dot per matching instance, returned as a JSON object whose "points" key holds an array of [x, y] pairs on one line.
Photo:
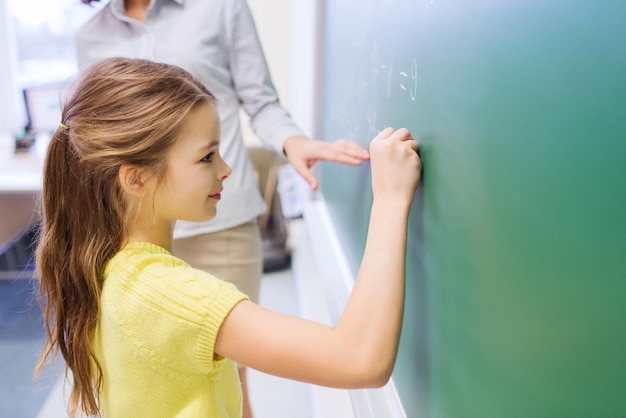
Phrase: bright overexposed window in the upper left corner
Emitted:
{"points": [[37, 58]]}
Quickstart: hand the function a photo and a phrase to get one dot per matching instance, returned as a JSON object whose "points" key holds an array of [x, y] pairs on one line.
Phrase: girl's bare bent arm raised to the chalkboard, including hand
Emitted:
{"points": [[361, 350]]}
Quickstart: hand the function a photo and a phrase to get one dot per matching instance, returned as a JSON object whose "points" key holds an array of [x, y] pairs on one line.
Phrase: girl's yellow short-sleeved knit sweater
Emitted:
{"points": [[155, 336]]}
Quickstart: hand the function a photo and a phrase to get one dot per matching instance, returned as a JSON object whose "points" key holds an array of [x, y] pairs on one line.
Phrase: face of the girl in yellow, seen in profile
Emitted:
{"points": [[193, 182]]}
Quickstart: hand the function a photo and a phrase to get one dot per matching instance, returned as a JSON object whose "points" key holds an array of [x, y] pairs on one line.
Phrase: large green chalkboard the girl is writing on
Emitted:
{"points": [[516, 296]]}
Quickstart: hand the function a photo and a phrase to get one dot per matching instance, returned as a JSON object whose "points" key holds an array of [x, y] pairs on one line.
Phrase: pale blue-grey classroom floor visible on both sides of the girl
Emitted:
{"points": [[21, 339]]}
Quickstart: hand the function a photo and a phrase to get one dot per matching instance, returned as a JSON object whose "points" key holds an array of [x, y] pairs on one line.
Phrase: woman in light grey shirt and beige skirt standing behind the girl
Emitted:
{"points": [[216, 40]]}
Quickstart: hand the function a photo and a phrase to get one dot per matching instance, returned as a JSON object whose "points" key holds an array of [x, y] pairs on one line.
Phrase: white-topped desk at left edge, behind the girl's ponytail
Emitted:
{"points": [[20, 183]]}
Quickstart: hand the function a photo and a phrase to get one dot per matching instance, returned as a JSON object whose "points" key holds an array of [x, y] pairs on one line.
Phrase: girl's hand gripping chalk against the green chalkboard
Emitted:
{"points": [[396, 167]]}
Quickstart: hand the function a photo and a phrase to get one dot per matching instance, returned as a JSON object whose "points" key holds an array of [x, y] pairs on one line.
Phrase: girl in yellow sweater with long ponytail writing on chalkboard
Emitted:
{"points": [[142, 332]]}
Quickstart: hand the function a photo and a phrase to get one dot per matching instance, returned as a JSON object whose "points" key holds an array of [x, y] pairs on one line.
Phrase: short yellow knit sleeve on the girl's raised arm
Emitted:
{"points": [[173, 315]]}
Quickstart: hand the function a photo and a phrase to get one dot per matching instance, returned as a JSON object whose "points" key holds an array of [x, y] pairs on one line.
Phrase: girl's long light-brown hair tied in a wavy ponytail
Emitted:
{"points": [[122, 111]]}
